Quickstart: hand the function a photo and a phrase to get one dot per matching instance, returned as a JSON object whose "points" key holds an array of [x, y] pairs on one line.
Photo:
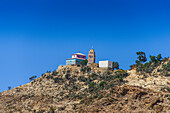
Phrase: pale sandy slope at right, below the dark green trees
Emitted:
{"points": [[158, 79]]}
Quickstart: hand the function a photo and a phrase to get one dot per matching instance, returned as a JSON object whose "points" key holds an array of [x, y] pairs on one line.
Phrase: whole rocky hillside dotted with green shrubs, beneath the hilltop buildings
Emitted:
{"points": [[85, 89]]}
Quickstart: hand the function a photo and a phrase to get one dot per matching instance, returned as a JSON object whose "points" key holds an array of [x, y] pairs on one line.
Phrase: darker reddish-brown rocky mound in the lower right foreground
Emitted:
{"points": [[129, 99]]}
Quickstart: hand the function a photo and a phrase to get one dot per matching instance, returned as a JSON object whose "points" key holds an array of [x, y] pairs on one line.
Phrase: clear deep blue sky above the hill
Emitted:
{"points": [[38, 35]]}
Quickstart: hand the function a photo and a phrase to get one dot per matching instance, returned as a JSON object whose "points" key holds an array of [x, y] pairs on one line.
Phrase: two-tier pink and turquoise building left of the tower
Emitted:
{"points": [[76, 59]]}
